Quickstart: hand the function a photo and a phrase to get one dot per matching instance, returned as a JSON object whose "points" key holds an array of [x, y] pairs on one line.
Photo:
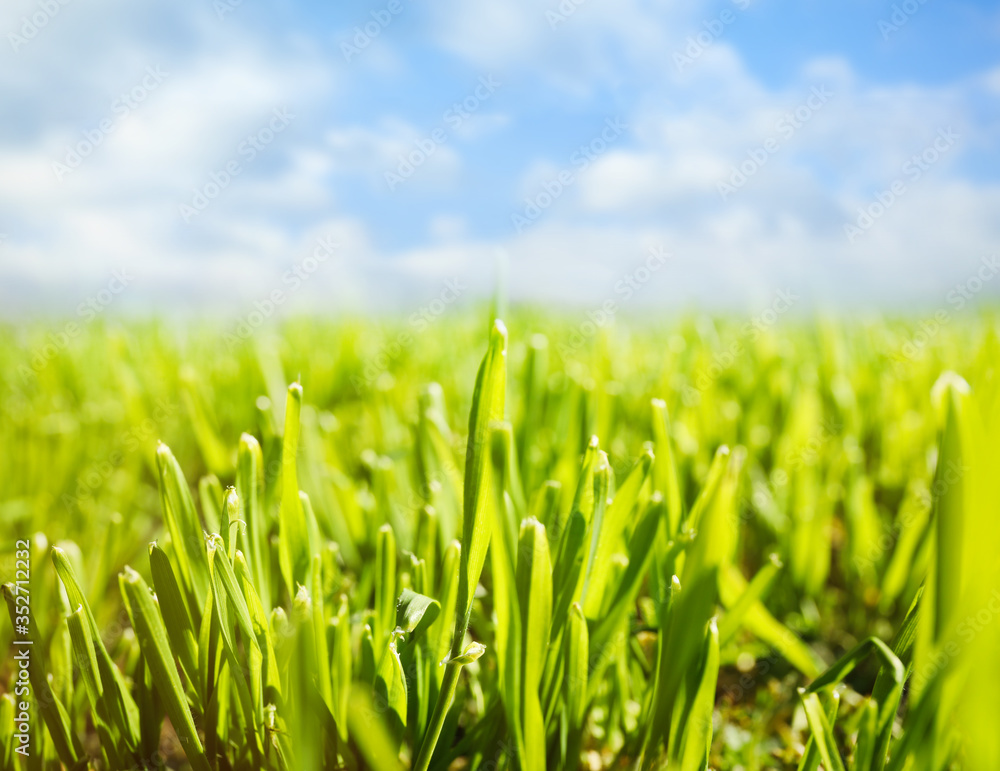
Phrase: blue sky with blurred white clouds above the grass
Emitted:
{"points": [[368, 155]]}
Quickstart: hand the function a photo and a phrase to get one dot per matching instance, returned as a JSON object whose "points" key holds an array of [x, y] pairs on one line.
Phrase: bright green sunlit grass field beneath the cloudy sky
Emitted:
{"points": [[469, 544]]}
